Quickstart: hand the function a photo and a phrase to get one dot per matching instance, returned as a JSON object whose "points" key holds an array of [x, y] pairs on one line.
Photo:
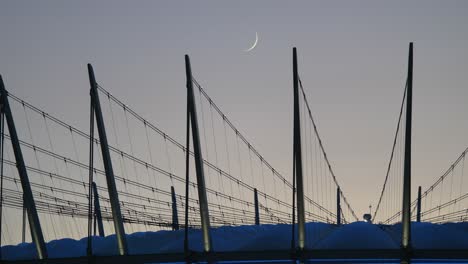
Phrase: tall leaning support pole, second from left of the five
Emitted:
{"points": [[113, 195]]}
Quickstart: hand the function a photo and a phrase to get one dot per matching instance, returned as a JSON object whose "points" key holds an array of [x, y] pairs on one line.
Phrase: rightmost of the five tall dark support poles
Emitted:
{"points": [[406, 211]]}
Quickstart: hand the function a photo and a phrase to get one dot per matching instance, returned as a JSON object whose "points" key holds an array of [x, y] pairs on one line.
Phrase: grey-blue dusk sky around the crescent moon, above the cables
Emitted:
{"points": [[352, 61]]}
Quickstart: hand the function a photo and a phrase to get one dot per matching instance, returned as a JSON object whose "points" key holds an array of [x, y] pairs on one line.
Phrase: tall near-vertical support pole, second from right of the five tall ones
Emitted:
{"points": [[297, 159]]}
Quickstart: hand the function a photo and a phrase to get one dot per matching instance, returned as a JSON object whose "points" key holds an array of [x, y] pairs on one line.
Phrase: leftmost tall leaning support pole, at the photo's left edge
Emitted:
{"points": [[33, 218]]}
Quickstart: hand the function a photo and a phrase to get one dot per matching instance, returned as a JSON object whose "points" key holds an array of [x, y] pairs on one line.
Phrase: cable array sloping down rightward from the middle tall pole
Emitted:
{"points": [[254, 165]]}
